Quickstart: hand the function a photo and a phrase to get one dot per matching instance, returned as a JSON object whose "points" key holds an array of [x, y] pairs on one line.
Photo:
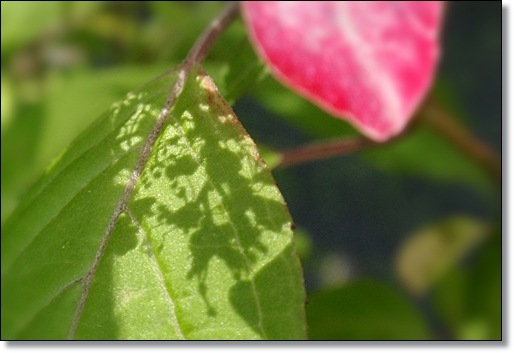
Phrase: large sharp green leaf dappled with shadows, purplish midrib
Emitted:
{"points": [[201, 249]]}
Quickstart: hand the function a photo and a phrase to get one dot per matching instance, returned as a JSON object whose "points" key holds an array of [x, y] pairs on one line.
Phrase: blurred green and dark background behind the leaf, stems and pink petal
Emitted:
{"points": [[397, 242]]}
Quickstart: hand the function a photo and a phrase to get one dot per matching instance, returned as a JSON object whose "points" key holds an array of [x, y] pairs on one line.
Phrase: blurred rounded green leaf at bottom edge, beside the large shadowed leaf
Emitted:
{"points": [[364, 310]]}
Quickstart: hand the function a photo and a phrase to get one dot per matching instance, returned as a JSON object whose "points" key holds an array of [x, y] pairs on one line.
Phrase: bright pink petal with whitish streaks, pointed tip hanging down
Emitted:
{"points": [[370, 63]]}
